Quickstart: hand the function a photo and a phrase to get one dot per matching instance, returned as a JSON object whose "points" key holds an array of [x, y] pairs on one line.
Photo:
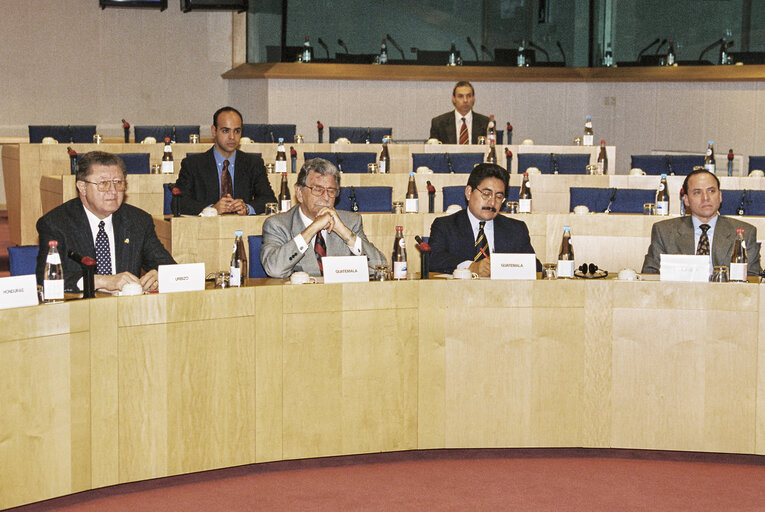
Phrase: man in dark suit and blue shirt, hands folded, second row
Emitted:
{"points": [[229, 180]]}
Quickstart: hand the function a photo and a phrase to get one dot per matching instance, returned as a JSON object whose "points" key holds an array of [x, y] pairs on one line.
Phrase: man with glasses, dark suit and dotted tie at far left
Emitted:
{"points": [[120, 237]]}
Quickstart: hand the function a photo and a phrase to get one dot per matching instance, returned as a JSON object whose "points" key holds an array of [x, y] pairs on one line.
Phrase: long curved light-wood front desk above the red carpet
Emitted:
{"points": [[112, 390]]}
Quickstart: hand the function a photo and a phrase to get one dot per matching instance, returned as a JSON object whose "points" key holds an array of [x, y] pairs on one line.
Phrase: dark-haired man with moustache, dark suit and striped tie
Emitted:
{"points": [[467, 239]]}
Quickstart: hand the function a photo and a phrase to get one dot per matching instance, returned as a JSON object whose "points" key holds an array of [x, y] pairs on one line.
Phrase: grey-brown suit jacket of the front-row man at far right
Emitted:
{"points": [[675, 236]]}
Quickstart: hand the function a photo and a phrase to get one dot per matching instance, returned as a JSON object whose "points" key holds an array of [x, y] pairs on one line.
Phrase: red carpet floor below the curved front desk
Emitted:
{"points": [[554, 480]]}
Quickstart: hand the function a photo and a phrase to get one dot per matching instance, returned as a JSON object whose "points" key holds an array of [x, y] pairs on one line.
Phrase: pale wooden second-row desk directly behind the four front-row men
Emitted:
{"points": [[611, 241]]}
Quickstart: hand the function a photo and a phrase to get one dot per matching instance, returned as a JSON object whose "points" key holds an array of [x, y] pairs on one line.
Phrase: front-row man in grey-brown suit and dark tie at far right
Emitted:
{"points": [[704, 231]]}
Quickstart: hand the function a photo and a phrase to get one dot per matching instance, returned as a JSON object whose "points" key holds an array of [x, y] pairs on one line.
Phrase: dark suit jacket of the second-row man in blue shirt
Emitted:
{"points": [[200, 187]]}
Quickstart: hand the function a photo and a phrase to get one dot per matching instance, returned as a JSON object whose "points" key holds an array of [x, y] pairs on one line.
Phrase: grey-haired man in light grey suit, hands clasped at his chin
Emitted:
{"points": [[296, 239]]}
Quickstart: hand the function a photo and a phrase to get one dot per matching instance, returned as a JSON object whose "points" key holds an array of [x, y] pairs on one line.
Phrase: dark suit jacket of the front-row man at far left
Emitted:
{"points": [[136, 245]]}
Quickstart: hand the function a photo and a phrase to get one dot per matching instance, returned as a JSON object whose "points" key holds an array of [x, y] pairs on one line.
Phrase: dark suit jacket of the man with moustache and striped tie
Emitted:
{"points": [[452, 240]]}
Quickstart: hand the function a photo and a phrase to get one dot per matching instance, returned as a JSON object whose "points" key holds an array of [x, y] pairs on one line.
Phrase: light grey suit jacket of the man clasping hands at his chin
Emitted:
{"points": [[280, 256]]}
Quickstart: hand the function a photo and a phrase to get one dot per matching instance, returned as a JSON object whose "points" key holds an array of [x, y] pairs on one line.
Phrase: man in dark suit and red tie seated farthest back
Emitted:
{"points": [[462, 125]]}
